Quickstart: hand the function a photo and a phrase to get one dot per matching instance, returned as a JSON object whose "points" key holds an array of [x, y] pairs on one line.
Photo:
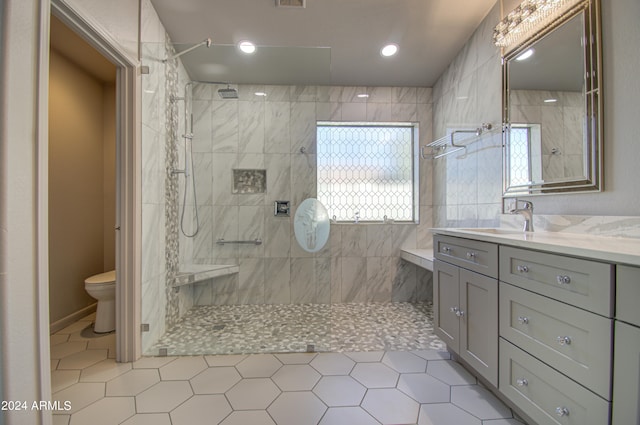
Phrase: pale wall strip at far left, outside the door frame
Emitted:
{"points": [[22, 356]]}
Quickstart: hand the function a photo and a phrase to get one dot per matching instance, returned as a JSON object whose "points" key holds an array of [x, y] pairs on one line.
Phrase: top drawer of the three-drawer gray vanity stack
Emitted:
{"points": [[582, 283]]}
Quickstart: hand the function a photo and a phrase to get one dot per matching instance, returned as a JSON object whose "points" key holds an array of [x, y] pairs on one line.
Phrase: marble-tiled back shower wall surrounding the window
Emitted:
{"points": [[361, 262]]}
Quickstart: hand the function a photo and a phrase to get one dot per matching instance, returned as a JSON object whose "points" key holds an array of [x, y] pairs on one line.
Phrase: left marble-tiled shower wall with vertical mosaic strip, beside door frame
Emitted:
{"points": [[158, 207]]}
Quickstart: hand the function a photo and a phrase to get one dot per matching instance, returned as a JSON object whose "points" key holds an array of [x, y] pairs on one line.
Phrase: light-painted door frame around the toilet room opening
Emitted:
{"points": [[128, 179]]}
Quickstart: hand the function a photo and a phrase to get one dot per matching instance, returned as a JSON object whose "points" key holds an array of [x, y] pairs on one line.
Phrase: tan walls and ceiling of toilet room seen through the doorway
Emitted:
{"points": [[82, 172]]}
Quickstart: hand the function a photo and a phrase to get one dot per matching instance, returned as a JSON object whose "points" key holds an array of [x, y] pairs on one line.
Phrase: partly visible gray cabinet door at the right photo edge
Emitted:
{"points": [[626, 375]]}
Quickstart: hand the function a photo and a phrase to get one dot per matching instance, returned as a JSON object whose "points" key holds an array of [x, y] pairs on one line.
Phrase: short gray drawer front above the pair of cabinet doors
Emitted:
{"points": [[480, 257]]}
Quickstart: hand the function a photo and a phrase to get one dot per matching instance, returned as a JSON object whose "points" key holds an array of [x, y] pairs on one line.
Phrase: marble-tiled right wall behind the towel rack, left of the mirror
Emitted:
{"points": [[467, 187]]}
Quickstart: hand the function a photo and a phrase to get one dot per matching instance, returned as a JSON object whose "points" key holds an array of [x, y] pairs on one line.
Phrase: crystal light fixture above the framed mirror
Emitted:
{"points": [[529, 17]]}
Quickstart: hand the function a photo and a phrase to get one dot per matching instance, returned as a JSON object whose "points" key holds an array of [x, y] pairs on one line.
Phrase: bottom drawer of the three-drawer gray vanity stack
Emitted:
{"points": [[546, 395]]}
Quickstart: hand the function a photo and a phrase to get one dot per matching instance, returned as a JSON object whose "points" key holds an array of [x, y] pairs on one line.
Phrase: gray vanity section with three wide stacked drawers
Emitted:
{"points": [[555, 336]]}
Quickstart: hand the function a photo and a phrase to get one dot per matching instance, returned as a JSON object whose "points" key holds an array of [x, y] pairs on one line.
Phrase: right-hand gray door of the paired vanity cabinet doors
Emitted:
{"points": [[479, 323]]}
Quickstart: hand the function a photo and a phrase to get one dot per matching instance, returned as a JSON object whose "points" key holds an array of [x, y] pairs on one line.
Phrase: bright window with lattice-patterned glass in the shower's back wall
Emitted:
{"points": [[366, 171]]}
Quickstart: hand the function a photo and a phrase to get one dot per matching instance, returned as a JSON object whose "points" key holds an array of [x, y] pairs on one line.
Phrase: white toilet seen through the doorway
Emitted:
{"points": [[102, 287]]}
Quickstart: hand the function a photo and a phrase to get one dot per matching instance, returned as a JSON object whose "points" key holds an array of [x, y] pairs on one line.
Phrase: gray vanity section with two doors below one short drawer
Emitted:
{"points": [[466, 302]]}
